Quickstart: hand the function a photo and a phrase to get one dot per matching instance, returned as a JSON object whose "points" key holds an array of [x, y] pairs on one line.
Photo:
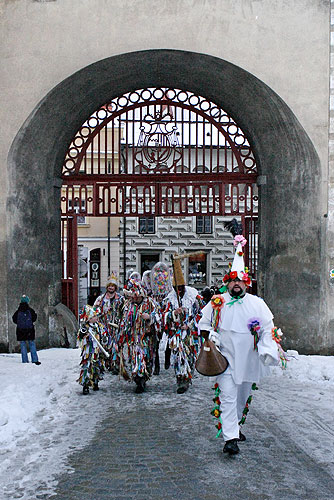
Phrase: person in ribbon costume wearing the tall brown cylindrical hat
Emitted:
{"points": [[182, 311]]}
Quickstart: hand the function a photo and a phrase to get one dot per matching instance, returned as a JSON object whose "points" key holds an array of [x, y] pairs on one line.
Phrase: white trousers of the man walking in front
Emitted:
{"points": [[233, 398]]}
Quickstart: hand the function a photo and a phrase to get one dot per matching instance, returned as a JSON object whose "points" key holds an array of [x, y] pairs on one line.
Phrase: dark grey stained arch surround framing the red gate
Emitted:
{"points": [[290, 256]]}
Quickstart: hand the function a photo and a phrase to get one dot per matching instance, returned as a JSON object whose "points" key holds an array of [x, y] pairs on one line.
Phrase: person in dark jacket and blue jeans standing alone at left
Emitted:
{"points": [[24, 318]]}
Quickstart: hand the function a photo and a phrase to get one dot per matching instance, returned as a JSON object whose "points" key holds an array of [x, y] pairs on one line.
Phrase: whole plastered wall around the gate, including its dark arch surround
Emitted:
{"points": [[265, 62]]}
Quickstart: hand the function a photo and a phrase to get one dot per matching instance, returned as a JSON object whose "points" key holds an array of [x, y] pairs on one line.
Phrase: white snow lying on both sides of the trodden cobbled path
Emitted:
{"points": [[42, 413]]}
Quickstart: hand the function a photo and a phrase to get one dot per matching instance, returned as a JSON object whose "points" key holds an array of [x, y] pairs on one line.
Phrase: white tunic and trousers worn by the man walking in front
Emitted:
{"points": [[246, 364]]}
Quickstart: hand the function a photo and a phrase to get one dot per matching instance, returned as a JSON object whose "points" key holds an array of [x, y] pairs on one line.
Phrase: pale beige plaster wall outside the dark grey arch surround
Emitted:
{"points": [[284, 44]]}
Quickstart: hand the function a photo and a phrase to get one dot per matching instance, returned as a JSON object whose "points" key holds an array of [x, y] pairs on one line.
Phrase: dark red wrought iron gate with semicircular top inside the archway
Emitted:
{"points": [[157, 151]]}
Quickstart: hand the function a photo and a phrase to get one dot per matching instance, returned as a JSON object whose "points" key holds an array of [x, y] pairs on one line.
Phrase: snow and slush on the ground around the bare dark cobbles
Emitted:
{"points": [[44, 419]]}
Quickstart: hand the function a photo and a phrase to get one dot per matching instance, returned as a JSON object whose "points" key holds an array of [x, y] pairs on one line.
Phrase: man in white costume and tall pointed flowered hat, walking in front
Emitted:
{"points": [[241, 325]]}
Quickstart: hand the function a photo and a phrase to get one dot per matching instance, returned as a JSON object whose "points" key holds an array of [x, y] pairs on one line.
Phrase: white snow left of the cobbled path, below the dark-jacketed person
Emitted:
{"points": [[42, 417]]}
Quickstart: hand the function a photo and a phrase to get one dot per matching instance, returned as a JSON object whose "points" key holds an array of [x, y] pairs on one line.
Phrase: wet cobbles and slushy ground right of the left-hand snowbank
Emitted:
{"points": [[162, 446]]}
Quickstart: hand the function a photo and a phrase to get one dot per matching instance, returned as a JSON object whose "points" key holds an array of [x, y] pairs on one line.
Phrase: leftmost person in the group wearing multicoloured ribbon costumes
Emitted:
{"points": [[93, 339]]}
